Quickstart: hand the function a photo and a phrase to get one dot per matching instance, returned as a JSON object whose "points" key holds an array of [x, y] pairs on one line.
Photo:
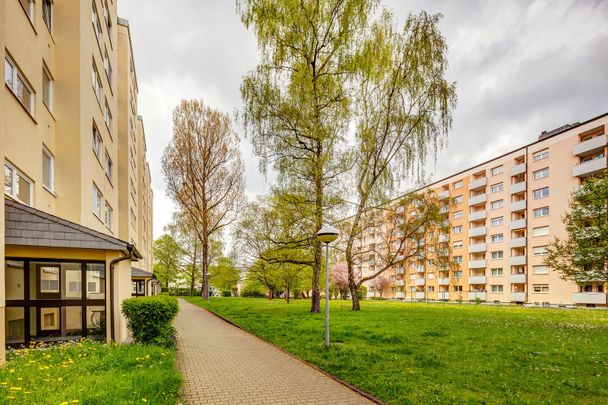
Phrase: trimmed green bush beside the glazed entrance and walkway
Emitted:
{"points": [[149, 319]]}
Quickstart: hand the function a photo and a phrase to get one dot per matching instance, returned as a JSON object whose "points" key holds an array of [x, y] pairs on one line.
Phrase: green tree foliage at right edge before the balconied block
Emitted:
{"points": [[583, 256]]}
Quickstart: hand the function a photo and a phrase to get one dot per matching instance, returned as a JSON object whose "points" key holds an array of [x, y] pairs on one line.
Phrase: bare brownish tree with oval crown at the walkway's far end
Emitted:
{"points": [[203, 172]]}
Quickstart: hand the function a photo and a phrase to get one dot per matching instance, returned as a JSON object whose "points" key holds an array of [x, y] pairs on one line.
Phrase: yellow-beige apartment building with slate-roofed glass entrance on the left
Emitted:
{"points": [[77, 215]]}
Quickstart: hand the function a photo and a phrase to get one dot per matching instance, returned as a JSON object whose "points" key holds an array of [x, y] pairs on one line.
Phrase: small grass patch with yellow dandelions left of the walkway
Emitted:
{"points": [[90, 373]]}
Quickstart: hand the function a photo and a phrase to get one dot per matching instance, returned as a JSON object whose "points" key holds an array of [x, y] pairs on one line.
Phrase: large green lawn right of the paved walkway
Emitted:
{"points": [[442, 353]]}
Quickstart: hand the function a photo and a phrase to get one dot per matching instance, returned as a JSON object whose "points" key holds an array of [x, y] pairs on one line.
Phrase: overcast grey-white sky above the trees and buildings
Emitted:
{"points": [[520, 67]]}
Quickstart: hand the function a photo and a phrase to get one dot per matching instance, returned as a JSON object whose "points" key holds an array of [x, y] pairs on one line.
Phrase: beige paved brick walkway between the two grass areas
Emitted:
{"points": [[222, 364]]}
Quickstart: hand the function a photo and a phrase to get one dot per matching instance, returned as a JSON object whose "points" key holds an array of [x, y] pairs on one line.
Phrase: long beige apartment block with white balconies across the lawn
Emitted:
{"points": [[501, 215]]}
